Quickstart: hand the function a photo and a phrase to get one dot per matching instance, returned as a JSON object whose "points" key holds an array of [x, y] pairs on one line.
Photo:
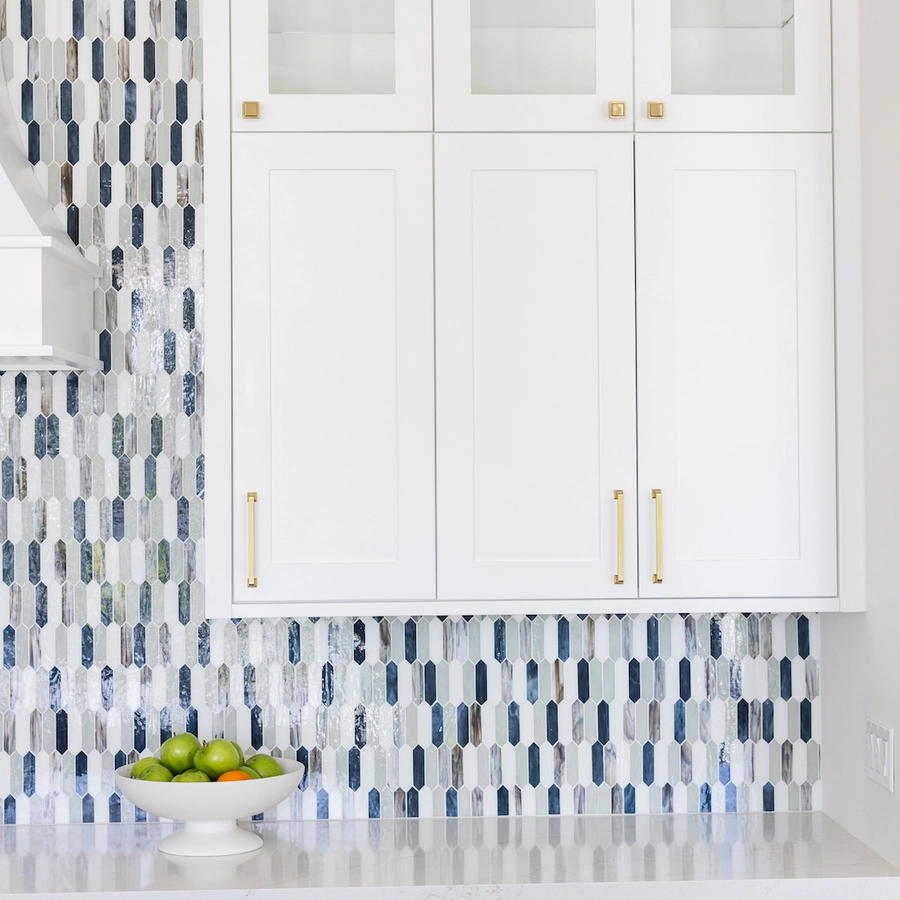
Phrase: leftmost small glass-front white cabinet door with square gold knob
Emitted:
{"points": [[331, 65]]}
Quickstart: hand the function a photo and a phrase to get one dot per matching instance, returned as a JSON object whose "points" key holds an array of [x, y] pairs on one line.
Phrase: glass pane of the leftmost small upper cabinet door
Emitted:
{"points": [[331, 47]]}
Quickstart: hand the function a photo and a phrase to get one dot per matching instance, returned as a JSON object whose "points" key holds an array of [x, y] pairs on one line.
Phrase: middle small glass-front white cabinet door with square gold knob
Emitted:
{"points": [[532, 65]]}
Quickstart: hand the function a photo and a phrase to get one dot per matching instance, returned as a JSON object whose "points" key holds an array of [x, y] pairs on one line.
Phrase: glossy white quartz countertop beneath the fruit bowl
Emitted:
{"points": [[765, 855]]}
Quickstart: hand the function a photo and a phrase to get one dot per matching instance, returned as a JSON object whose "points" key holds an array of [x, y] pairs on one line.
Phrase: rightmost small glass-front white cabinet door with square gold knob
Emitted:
{"points": [[733, 65]]}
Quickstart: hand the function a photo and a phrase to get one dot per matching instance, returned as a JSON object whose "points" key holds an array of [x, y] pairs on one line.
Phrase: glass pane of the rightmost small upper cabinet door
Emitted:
{"points": [[732, 46]]}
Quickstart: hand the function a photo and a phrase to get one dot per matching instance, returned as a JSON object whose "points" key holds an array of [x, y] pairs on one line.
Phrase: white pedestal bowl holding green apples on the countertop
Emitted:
{"points": [[210, 810]]}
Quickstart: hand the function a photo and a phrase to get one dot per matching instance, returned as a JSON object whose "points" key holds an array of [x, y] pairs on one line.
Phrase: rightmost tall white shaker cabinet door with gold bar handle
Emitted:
{"points": [[736, 383]]}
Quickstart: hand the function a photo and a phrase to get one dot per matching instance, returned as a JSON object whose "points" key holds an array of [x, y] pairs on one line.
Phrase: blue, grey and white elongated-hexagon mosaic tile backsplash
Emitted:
{"points": [[105, 651]]}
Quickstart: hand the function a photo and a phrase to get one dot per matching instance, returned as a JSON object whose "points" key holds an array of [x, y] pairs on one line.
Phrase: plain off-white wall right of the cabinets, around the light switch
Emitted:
{"points": [[861, 653]]}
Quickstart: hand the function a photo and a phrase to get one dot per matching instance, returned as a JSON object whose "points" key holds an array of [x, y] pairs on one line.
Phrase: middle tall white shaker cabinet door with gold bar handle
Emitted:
{"points": [[535, 367]]}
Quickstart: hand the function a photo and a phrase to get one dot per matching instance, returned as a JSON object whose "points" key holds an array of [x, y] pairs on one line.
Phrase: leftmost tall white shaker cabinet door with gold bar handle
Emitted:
{"points": [[333, 361]]}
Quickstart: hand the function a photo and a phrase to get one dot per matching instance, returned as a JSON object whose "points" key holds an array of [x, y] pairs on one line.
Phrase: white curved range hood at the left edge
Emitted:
{"points": [[46, 285]]}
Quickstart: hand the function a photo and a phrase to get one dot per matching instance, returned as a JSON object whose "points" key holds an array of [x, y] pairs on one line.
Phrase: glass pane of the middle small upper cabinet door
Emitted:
{"points": [[533, 46]]}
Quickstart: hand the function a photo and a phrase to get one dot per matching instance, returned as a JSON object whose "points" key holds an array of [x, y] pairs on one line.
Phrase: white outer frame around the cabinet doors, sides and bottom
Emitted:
{"points": [[214, 549]]}
